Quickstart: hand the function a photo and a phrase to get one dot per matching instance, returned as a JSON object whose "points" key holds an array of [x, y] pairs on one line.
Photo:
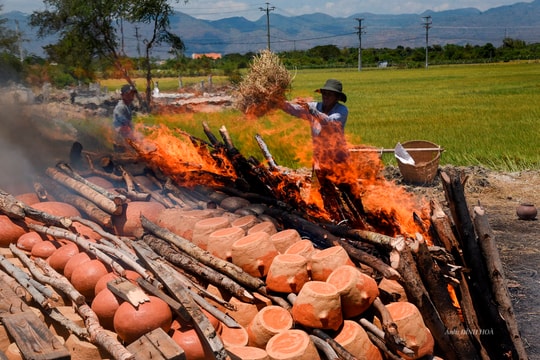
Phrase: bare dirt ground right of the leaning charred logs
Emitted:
{"points": [[518, 240]]}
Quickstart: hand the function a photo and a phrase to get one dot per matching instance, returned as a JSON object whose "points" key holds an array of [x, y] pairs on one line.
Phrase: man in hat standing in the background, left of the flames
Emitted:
{"points": [[122, 116]]}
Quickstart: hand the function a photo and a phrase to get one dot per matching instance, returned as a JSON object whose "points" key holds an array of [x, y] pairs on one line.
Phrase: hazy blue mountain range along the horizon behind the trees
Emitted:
{"points": [[239, 35]]}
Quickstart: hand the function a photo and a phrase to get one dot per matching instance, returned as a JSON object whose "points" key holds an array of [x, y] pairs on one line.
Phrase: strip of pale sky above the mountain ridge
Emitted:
{"points": [[211, 9]]}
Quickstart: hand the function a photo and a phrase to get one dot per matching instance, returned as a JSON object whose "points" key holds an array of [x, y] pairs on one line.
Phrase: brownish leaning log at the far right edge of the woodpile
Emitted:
{"points": [[498, 282]]}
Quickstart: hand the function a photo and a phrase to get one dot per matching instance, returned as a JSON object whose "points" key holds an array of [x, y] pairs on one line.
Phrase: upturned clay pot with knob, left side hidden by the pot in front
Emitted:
{"points": [[357, 290]]}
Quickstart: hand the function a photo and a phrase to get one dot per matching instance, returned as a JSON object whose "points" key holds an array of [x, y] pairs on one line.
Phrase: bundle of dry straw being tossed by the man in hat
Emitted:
{"points": [[265, 85]]}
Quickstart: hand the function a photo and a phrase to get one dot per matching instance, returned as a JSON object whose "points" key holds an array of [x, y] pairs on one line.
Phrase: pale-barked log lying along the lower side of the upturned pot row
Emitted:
{"points": [[229, 269]]}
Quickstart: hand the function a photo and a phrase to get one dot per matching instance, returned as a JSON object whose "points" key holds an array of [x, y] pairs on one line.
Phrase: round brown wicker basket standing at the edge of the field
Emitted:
{"points": [[426, 162]]}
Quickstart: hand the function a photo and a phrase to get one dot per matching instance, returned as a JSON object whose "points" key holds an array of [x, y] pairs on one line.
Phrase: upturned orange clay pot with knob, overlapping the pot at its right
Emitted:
{"points": [[318, 305]]}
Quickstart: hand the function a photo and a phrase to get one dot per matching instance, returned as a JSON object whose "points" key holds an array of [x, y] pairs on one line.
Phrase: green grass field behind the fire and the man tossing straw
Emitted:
{"points": [[484, 115]]}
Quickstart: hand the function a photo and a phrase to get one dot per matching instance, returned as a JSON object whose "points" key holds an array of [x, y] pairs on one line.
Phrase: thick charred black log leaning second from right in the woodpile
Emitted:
{"points": [[493, 331]]}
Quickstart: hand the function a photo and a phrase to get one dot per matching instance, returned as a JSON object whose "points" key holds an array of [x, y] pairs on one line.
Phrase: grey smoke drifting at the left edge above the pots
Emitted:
{"points": [[29, 143]]}
